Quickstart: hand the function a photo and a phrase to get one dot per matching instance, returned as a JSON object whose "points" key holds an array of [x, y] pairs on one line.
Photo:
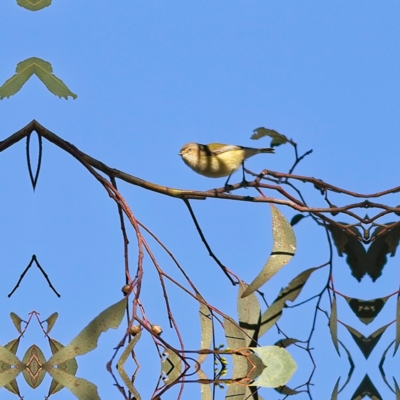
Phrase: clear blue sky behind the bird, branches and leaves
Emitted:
{"points": [[151, 76]]}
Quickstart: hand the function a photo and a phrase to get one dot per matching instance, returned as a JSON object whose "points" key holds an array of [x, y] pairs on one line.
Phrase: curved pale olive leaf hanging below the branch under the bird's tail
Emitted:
{"points": [[282, 252]]}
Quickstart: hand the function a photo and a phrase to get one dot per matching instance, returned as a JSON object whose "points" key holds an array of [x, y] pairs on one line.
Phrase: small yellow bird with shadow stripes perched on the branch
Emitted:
{"points": [[216, 160]]}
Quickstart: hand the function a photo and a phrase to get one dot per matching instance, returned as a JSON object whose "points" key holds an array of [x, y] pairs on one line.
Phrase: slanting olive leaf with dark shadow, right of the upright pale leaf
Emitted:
{"points": [[289, 293]]}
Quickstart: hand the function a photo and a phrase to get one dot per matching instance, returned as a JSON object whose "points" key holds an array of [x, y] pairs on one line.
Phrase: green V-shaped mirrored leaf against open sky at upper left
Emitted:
{"points": [[43, 70]]}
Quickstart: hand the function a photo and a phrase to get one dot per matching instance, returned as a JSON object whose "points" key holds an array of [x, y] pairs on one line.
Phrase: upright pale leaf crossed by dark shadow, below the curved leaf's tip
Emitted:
{"points": [[249, 312]]}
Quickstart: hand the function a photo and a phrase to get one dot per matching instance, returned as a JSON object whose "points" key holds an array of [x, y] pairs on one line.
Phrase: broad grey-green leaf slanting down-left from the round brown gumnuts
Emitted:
{"points": [[87, 339]]}
